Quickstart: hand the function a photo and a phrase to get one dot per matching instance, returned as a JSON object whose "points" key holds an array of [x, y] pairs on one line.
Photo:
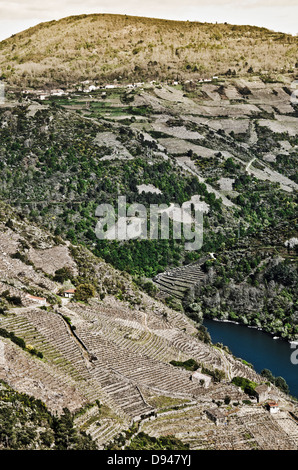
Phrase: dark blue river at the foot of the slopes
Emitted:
{"points": [[258, 348]]}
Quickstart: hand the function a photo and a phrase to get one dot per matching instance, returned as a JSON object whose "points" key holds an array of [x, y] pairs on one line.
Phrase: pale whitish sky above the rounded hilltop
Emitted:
{"points": [[278, 15]]}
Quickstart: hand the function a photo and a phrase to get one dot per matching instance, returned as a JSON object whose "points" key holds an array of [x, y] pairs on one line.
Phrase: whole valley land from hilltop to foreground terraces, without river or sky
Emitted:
{"points": [[102, 342]]}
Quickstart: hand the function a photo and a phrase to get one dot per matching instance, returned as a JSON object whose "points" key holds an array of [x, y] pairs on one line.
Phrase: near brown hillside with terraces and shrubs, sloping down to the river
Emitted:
{"points": [[105, 363]]}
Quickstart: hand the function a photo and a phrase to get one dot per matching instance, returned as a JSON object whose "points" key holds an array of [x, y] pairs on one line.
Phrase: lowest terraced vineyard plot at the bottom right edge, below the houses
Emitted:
{"points": [[246, 429]]}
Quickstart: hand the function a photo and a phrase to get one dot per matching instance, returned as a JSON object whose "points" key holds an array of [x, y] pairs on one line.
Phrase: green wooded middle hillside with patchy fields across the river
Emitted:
{"points": [[62, 156]]}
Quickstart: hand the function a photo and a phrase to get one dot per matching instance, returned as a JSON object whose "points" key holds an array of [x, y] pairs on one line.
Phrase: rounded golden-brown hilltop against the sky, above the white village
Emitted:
{"points": [[125, 48]]}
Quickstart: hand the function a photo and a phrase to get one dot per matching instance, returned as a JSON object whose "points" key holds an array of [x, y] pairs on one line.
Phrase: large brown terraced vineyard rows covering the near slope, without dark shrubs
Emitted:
{"points": [[108, 361]]}
